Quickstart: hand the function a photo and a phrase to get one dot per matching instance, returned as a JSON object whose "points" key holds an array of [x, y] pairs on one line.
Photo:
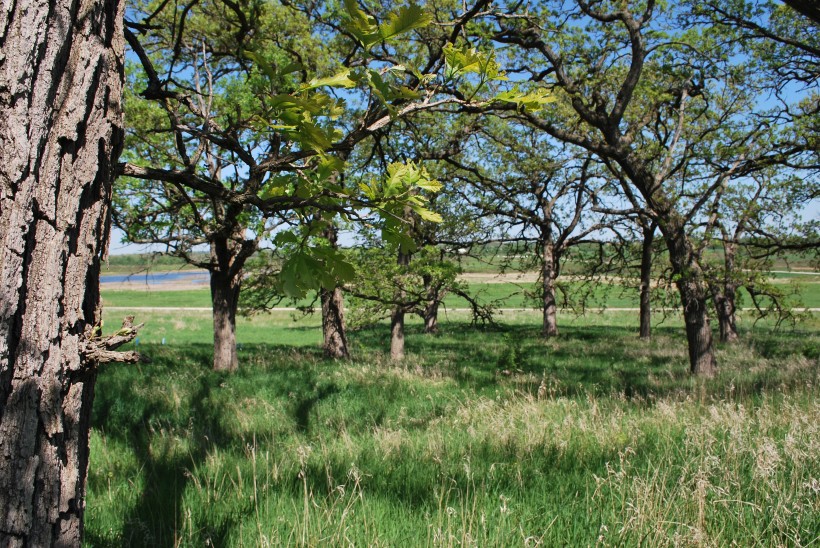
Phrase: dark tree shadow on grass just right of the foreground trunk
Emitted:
{"points": [[170, 446]]}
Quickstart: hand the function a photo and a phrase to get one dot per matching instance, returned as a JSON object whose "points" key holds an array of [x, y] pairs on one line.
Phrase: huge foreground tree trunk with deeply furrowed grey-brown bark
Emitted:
{"points": [[61, 133]]}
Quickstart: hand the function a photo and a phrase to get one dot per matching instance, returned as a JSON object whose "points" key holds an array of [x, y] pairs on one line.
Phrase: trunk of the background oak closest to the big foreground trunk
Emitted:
{"points": [[226, 281]]}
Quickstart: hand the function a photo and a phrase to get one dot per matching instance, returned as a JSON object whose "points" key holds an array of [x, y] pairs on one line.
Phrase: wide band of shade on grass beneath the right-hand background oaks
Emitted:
{"points": [[597, 360]]}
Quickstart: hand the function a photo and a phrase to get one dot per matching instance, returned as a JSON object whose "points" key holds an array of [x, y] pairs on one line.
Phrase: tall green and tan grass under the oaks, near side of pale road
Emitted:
{"points": [[483, 437]]}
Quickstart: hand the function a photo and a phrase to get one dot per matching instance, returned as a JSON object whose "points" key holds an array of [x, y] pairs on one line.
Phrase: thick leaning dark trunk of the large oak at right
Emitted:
{"points": [[694, 297]]}
